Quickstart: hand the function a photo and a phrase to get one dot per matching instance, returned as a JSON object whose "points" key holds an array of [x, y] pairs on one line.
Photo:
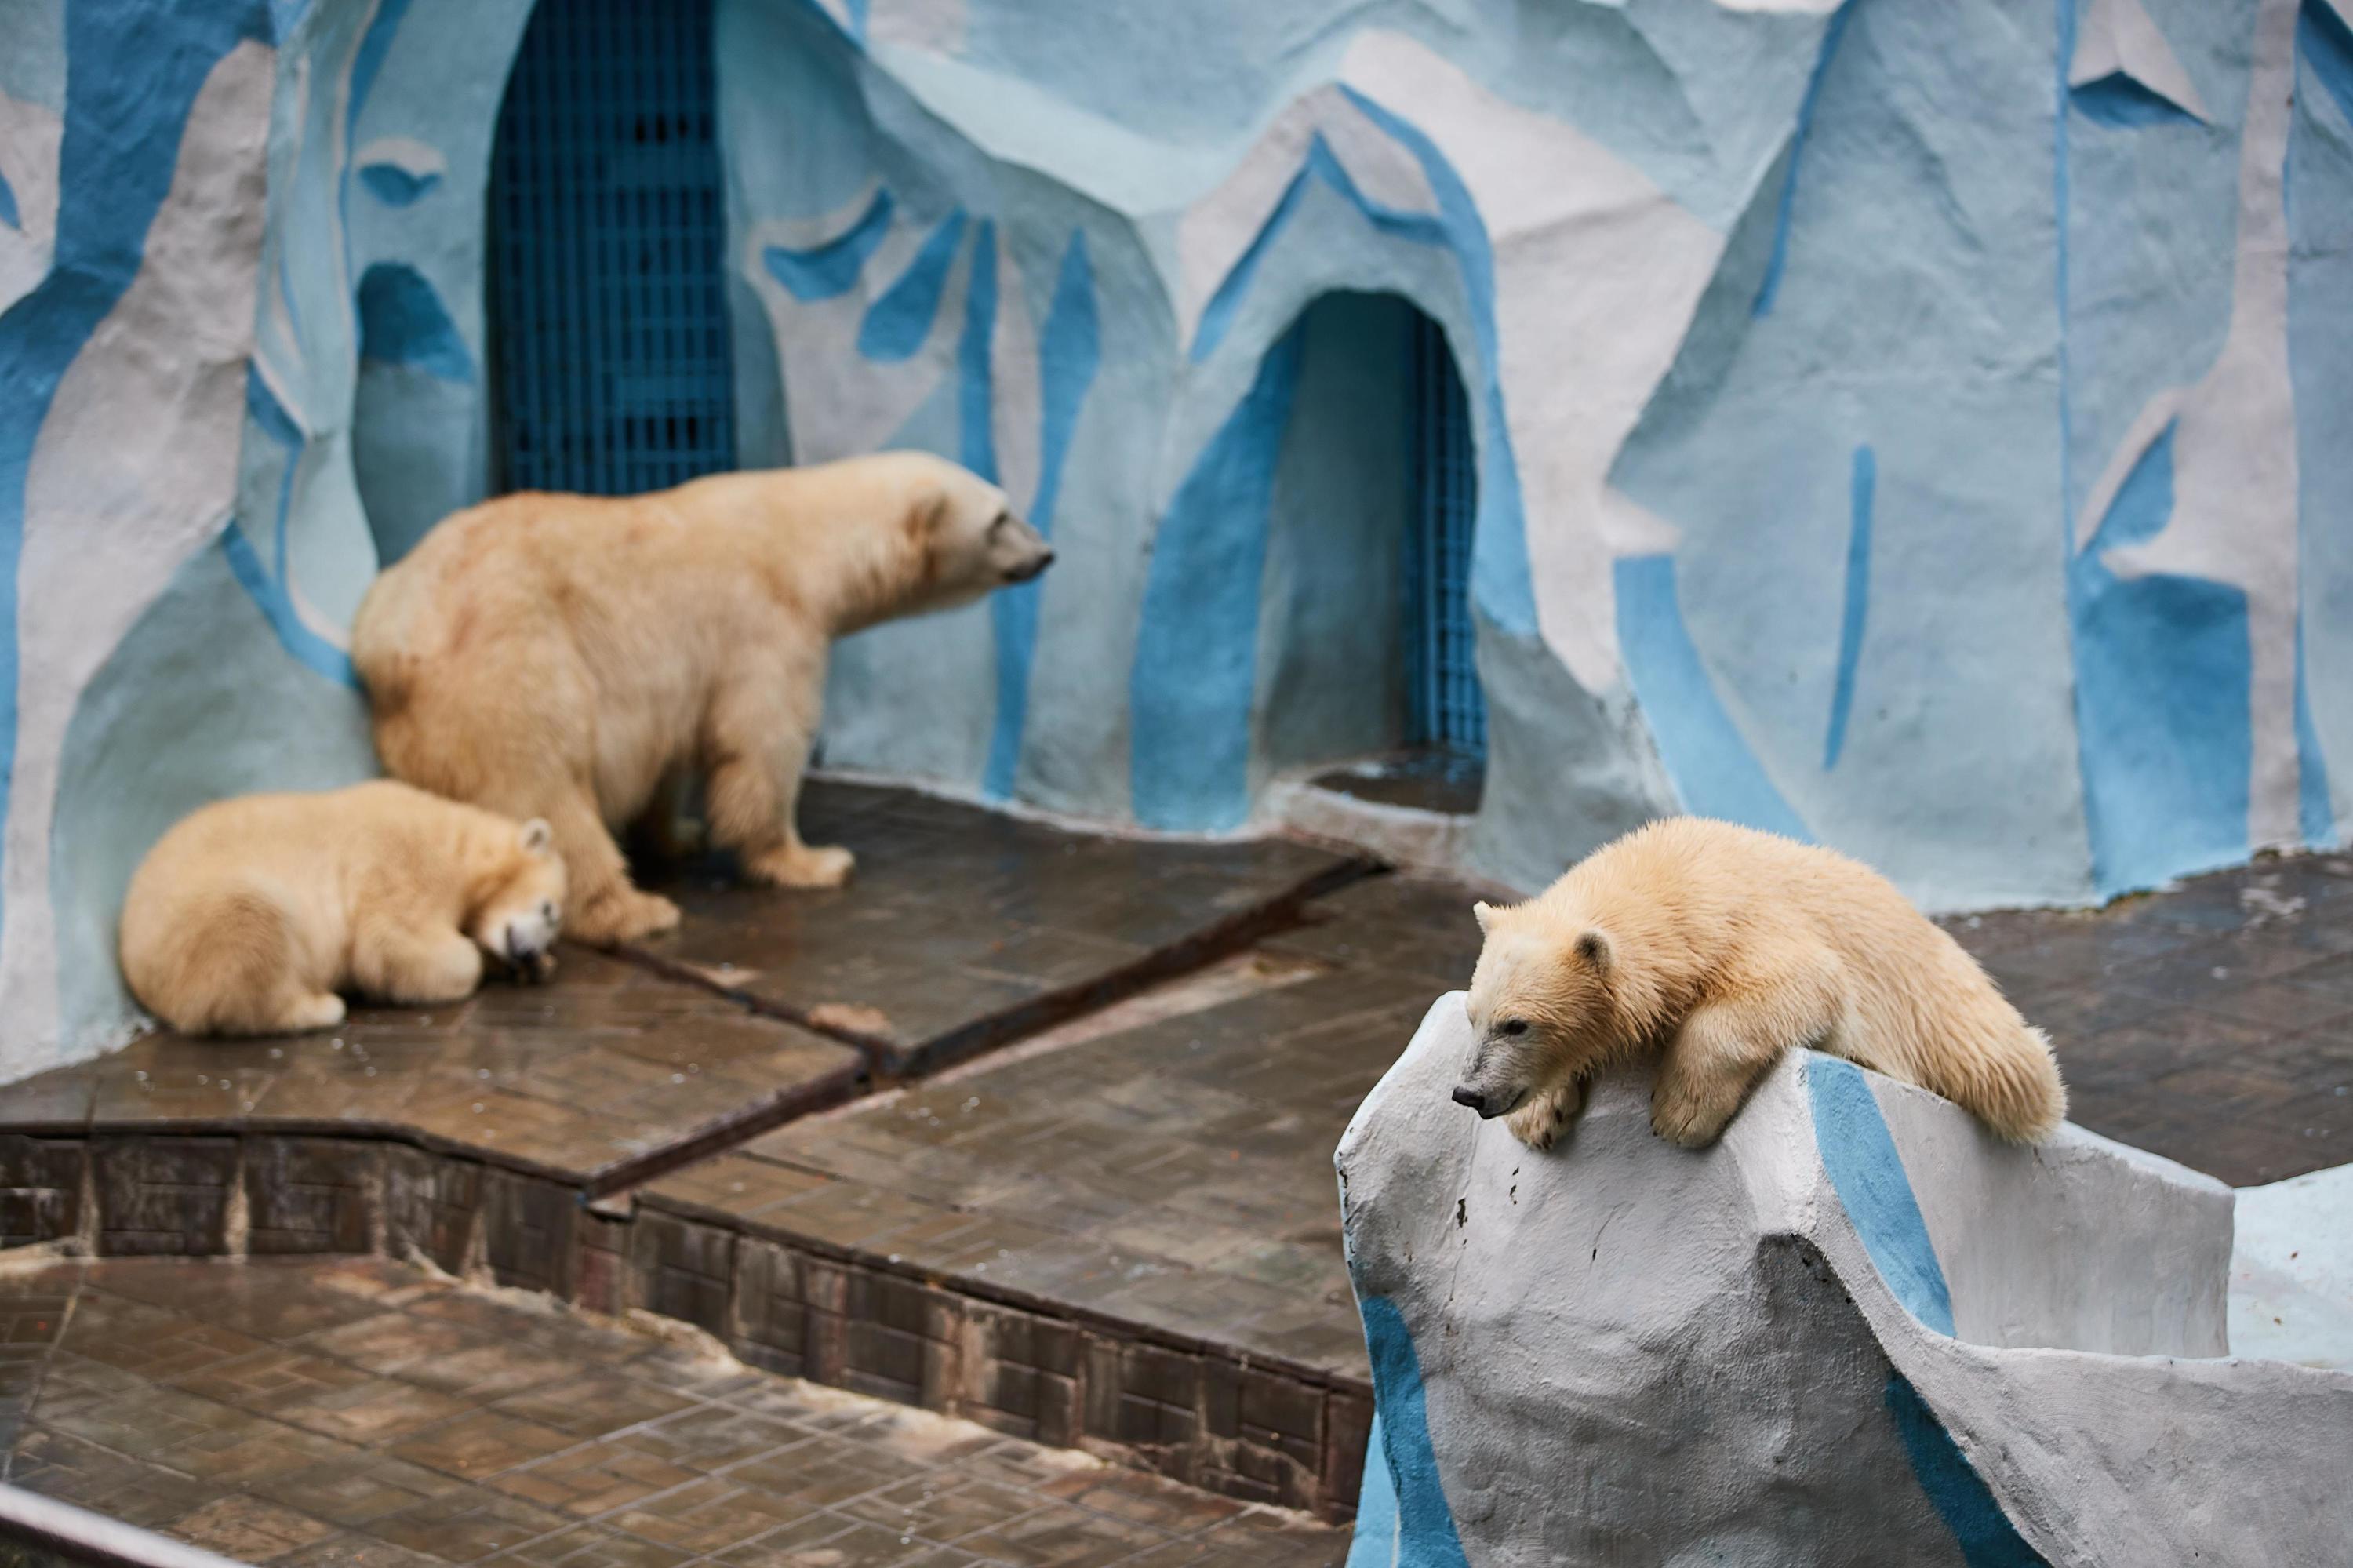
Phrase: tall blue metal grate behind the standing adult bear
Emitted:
{"points": [[608, 251]]}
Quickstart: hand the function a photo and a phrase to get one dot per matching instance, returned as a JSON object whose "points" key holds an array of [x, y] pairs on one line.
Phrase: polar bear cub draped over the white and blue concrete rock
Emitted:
{"points": [[1719, 948]]}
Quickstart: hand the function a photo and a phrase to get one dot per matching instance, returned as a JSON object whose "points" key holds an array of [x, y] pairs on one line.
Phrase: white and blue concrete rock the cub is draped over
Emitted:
{"points": [[1855, 1331]]}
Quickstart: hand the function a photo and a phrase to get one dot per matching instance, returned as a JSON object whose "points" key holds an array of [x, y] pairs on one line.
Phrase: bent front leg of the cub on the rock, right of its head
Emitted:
{"points": [[1731, 1039]]}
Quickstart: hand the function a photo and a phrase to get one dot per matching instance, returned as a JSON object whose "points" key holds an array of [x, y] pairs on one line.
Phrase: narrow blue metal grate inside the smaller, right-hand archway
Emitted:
{"points": [[1446, 710]]}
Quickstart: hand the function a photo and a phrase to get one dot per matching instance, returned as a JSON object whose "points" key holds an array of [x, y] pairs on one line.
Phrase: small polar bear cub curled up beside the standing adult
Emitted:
{"points": [[251, 915]]}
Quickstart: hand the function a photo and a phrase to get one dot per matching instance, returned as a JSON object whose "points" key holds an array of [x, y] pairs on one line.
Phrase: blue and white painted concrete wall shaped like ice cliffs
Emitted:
{"points": [[1909, 425]]}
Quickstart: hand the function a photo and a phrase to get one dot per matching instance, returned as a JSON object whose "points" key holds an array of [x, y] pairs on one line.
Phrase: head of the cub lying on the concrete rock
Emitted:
{"points": [[1542, 1006]]}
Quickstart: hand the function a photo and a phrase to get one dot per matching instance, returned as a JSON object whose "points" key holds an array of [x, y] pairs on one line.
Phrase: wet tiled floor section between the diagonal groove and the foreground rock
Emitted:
{"points": [[1175, 1174]]}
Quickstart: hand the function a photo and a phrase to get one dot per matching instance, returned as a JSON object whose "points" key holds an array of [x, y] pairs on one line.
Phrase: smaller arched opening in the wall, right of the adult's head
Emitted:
{"points": [[1373, 684]]}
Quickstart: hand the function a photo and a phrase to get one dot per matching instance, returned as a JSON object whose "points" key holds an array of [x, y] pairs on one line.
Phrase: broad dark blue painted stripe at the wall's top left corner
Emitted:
{"points": [[128, 98]]}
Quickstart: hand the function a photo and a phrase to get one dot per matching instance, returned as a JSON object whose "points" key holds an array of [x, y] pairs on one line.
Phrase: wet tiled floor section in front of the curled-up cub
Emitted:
{"points": [[575, 1077]]}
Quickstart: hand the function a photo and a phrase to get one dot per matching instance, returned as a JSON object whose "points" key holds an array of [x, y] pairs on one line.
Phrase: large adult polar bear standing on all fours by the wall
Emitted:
{"points": [[561, 656]]}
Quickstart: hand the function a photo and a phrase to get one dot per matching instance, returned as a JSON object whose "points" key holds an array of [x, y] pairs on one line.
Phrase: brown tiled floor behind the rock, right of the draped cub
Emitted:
{"points": [[2211, 1023]]}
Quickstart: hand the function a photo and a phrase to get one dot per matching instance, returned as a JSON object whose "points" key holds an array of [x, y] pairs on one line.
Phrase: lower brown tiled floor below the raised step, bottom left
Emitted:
{"points": [[366, 1416]]}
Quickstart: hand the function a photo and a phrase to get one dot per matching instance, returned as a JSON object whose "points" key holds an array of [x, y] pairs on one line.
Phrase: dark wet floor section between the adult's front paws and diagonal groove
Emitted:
{"points": [[964, 924]]}
